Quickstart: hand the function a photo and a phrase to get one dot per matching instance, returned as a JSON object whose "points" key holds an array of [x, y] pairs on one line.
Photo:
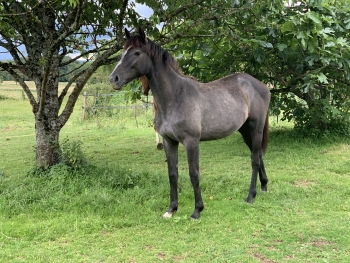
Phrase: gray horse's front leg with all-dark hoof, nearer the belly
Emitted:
{"points": [[192, 149]]}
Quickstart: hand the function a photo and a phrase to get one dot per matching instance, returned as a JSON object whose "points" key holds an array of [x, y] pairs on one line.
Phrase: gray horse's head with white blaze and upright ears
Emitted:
{"points": [[135, 61]]}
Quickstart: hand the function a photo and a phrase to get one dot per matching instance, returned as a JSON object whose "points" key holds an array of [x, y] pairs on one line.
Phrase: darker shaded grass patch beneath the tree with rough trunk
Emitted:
{"points": [[102, 190]]}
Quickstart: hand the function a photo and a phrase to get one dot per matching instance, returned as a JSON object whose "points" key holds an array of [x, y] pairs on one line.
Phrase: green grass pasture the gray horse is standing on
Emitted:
{"points": [[111, 209]]}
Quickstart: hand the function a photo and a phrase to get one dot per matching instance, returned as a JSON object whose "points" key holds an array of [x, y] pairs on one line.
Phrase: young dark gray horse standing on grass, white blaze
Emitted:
{"points": [[190, 111]]}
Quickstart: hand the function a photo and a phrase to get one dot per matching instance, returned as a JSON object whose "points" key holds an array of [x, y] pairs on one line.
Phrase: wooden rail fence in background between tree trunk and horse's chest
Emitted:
{"points": [[111, 101]]}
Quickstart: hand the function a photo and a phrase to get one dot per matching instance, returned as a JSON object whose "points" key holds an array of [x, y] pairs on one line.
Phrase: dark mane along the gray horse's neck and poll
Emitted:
{"points": [[155, 51]]}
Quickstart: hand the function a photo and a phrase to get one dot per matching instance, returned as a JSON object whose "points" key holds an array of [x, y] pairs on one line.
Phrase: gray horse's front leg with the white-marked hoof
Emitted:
{"points": [[171, 151]]}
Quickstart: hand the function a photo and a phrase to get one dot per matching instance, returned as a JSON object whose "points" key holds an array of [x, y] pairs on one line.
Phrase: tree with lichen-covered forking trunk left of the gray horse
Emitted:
{"points": [[41, 34]]}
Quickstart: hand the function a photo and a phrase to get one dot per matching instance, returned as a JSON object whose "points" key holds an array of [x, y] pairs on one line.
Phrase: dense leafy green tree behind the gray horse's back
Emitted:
{"points": [[301, 49]]}
